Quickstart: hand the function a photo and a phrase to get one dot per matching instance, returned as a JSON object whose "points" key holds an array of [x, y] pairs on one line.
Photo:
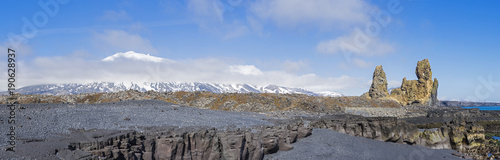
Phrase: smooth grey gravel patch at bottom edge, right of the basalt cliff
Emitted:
{"points": [[328, 144]]}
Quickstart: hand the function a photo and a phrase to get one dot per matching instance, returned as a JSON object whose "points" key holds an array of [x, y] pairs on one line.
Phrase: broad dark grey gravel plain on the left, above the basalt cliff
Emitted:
{"points": [[47, 120]]}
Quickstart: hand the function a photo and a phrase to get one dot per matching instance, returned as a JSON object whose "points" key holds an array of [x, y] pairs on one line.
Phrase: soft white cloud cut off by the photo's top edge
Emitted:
{"points": [[325, 13]]}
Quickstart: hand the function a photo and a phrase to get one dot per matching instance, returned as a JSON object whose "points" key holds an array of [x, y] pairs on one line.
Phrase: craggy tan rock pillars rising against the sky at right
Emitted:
{"points": [[412, 92]]}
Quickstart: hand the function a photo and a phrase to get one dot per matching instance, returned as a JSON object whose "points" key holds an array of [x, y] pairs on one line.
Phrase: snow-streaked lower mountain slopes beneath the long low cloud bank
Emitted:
{"points": [[97, 87]]}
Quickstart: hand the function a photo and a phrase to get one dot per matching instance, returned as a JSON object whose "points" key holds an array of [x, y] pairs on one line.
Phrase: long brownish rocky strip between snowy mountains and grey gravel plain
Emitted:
{"points": [[249, 102]]}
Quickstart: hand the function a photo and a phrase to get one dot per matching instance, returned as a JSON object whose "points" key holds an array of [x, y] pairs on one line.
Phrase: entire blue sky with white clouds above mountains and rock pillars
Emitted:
{"points": [[295, 43]]}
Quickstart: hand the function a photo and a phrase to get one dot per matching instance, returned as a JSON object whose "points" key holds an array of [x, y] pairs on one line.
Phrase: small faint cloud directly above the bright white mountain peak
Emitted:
{"points": [[119, 40]]}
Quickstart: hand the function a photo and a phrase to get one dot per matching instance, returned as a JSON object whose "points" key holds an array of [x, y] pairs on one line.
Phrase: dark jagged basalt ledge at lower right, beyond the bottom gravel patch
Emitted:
{"points": [[459, 134]]}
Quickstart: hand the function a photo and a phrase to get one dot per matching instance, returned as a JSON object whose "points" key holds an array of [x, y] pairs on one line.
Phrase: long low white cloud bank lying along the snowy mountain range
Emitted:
{"points": [[75, 69]]}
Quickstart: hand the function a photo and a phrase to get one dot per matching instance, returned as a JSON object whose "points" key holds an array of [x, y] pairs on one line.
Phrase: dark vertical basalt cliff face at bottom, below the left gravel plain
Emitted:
{"points": [[185, 143]]}
